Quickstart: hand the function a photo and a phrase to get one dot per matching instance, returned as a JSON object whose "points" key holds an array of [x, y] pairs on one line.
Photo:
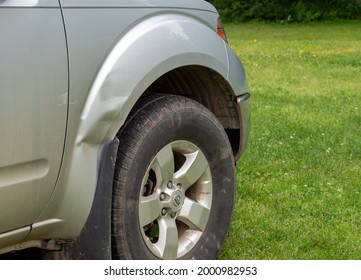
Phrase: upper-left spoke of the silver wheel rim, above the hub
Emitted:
{"points": [[164, 164]]}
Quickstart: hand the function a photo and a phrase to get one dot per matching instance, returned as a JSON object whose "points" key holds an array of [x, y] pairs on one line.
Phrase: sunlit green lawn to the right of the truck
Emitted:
{"points": [[298, 192]]}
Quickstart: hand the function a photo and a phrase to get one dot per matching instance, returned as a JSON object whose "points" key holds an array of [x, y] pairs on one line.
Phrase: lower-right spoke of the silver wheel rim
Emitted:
{"points": [[194, 214]]}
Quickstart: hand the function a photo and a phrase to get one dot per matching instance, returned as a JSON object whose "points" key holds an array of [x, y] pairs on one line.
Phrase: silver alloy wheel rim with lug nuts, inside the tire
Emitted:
{"points": [[175, 200]]}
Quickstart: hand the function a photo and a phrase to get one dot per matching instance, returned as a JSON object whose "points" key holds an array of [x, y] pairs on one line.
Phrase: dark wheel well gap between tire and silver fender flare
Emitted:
{"points": [[208, 88]]}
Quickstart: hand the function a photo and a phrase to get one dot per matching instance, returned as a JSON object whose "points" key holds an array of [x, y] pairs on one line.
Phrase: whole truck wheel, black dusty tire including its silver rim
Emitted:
{"points": [[174, 182]]}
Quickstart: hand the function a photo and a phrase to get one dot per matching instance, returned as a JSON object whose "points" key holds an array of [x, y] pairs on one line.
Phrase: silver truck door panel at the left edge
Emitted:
{"points": [[33, 107]]}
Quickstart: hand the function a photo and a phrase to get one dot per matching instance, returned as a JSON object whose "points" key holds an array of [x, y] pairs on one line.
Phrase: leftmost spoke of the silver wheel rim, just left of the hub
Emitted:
{"points": [[149, 209]]}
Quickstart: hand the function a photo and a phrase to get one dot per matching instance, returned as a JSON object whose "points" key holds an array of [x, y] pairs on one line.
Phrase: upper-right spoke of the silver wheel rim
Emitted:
{"points": [[192, 169]]}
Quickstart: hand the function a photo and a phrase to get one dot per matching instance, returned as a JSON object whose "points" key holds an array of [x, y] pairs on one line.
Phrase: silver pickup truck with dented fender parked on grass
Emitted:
{"points": [[121, 124]]}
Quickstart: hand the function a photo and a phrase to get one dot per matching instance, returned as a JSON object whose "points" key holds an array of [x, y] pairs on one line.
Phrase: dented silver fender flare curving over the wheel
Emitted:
{"points": [[146, 52]]}
